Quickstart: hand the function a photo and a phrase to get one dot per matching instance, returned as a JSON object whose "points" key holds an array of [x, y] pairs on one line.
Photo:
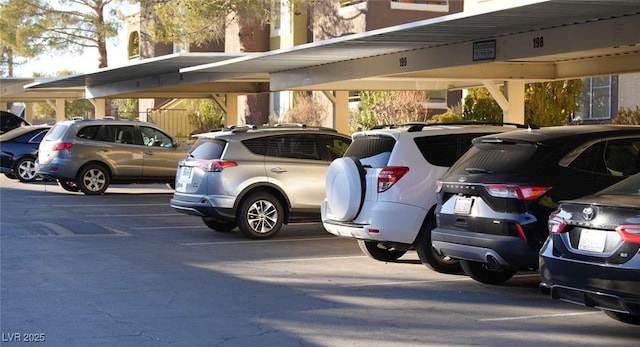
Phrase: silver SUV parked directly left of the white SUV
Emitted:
{"points": [[257, 178]]}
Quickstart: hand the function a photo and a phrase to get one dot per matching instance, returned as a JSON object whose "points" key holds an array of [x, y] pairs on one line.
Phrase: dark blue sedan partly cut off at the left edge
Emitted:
{"points": [[19, 149]]}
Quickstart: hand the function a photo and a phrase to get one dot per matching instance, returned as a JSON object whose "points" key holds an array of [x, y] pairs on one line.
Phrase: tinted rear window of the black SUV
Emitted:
{"points": [[497, 158]]}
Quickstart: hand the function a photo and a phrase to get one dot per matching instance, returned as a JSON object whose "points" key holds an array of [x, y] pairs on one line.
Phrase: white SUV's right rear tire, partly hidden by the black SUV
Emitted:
{"points": [[428, 255]]}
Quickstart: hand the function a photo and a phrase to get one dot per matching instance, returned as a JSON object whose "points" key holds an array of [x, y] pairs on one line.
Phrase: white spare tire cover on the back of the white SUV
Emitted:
{"points": [[345, 188]]}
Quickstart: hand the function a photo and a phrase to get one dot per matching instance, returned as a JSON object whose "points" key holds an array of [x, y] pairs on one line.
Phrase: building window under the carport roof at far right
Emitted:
{"points": [[598, 98]]}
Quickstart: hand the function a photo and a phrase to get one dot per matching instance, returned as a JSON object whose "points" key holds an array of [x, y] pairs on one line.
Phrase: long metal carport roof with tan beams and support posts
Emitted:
{"points": [[510, 45]]}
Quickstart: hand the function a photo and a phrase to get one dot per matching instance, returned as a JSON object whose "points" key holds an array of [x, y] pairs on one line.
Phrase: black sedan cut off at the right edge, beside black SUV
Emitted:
{"points": [[592, 254]]}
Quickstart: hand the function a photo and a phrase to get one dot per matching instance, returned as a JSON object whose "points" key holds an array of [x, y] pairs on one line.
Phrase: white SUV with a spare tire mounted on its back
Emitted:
{"points": [[382, 192]]}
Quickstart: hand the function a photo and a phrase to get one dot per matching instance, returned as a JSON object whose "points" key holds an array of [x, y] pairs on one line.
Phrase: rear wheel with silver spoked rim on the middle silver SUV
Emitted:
{"points": [[260, 216]]}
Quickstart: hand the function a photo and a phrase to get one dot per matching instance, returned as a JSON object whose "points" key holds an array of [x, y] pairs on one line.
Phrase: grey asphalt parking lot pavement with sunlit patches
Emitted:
{"points": [[124, 269]]}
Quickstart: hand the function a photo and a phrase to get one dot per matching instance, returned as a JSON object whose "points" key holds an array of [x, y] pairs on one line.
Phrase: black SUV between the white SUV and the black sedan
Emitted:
{"points": [[495, 201]]}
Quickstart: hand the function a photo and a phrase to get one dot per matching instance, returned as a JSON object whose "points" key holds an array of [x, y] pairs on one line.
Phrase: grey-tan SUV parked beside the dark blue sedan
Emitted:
{"points": [[88, 155]]}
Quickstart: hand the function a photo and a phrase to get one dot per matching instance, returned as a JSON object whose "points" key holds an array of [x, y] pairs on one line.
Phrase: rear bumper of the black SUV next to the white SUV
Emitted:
{"points": [[484, 248]]}
